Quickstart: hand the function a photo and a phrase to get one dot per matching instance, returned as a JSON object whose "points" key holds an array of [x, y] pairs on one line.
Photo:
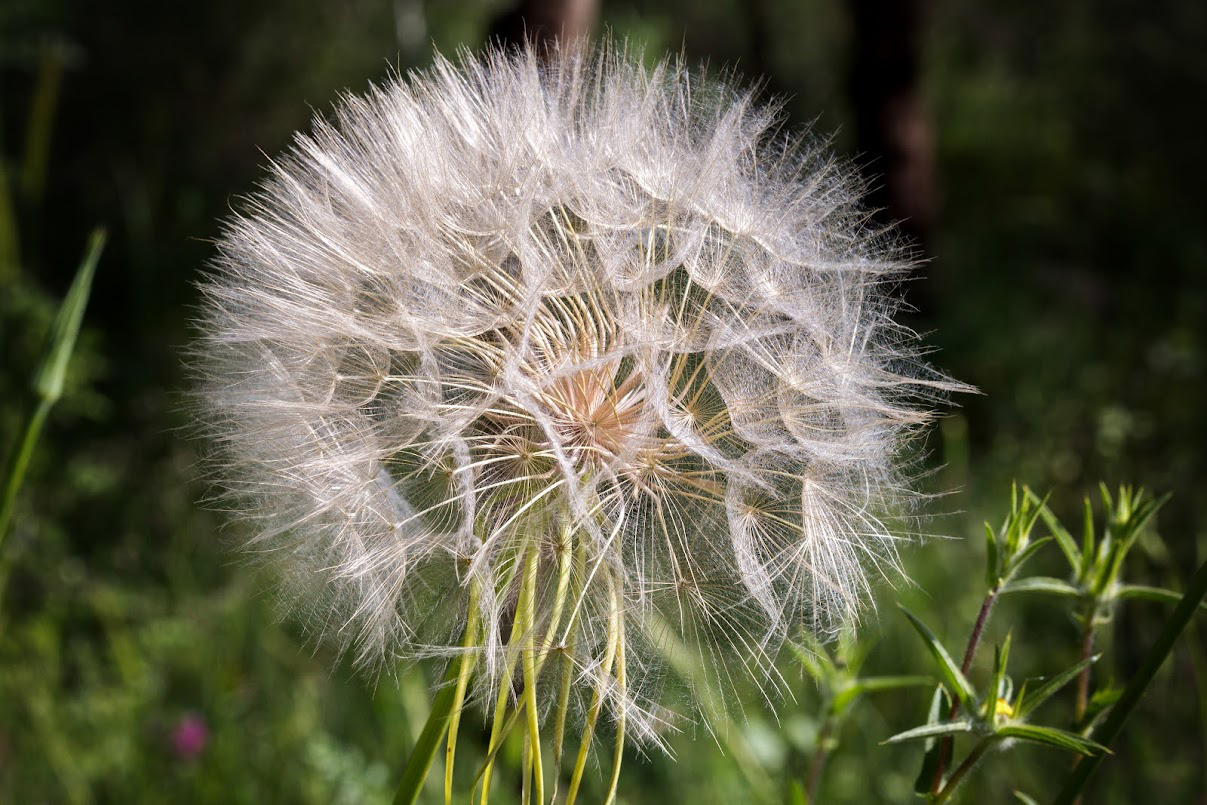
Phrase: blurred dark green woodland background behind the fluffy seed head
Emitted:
{"points": [[1060, 153]]}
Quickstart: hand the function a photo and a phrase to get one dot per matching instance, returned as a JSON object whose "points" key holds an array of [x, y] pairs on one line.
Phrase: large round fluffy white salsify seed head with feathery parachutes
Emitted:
{"points": [[572, 324]]}
